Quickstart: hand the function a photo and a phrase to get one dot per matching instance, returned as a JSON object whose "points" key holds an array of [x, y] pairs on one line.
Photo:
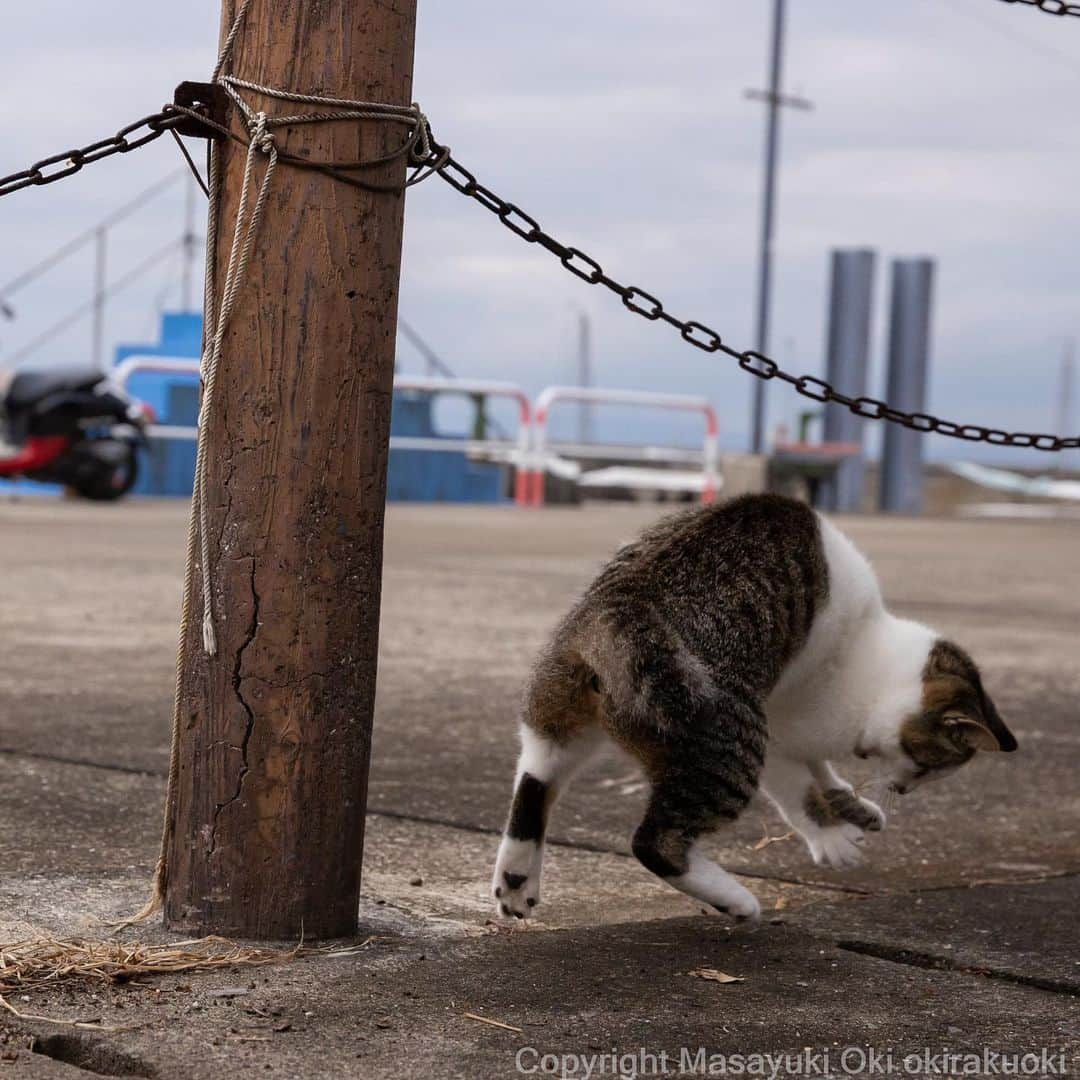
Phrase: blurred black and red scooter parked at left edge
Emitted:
{"points": [[72, 427]]}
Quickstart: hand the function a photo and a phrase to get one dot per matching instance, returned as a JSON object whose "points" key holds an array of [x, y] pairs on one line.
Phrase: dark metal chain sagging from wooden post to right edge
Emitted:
{"points": [[704, 337]]}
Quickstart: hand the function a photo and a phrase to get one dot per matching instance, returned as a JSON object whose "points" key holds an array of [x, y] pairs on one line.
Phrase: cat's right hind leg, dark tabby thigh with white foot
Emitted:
{"points": [[704, 776]]}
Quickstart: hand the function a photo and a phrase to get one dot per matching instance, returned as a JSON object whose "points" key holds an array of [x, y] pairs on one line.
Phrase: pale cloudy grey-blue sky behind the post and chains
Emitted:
{"points": [[941, 128]]}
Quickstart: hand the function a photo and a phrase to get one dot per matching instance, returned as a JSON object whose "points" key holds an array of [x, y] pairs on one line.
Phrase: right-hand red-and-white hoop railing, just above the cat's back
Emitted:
{"points": [[542, 412]]}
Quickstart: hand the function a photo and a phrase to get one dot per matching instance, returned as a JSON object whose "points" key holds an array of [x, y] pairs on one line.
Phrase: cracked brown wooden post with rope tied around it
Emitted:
{"points": [[268, 822]]}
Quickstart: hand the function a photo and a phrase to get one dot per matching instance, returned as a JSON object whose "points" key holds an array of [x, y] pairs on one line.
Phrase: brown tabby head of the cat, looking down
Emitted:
{"points": [[955, 720]]}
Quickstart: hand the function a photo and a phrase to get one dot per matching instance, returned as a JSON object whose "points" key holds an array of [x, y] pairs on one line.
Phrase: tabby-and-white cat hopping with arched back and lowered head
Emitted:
{"points": [[721, 632]]}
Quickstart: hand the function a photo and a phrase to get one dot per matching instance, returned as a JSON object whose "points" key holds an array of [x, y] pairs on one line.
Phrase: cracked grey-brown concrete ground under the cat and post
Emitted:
{"points": [[960, 935]]}
